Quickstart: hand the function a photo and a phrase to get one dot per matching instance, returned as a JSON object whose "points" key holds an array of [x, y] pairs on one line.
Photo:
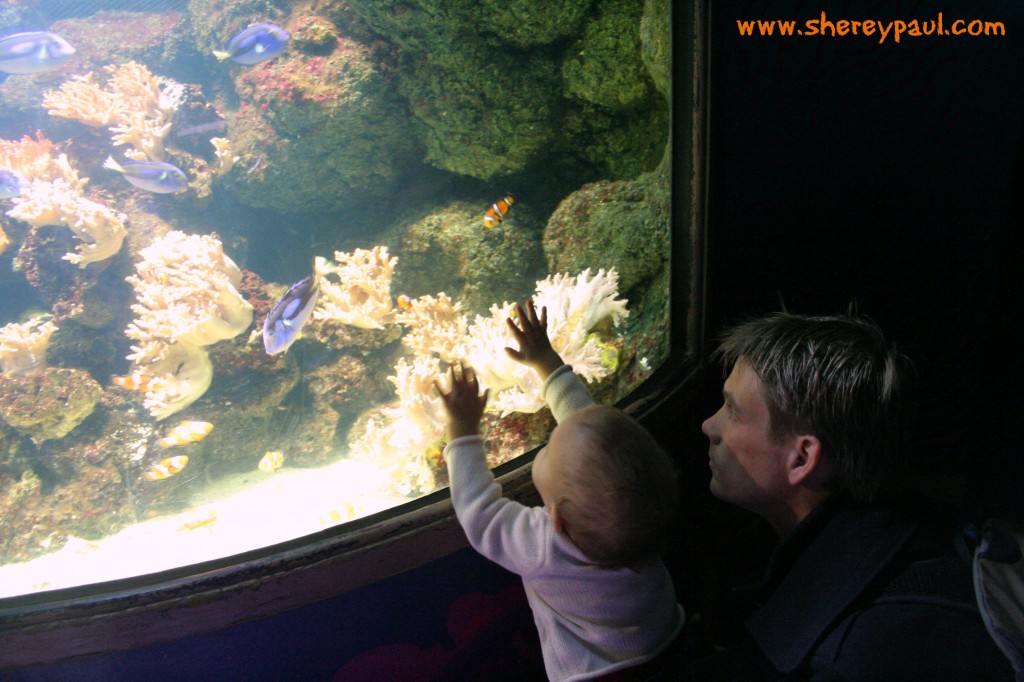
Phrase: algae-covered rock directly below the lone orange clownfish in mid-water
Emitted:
{"points": [[449, 250]]}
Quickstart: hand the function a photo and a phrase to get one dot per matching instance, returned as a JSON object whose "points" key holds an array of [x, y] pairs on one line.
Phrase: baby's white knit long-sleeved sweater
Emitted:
{"points": [[592, 620]]}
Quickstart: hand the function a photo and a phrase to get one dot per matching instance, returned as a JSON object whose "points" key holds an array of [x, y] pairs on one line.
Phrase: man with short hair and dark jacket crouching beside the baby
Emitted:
{"points": [[857, 589]]}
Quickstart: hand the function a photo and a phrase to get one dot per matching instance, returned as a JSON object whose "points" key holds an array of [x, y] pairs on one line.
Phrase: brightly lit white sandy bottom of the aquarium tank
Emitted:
{"points": [[236, 515]]}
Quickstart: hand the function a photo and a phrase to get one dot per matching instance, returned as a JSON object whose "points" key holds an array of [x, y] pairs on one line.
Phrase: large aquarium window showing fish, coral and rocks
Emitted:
{"points": [[241, 240]]}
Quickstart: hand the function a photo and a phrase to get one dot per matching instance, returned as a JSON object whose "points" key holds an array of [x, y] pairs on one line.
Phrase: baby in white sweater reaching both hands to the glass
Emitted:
{"points": [[603, 601]]}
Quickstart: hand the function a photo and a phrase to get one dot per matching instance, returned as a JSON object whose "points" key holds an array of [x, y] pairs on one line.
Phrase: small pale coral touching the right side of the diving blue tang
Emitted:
{"points": [[364, 296]]}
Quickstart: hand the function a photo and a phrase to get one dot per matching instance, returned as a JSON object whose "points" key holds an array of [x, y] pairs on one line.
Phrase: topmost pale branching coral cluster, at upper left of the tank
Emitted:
{"points": [[138, 107]]}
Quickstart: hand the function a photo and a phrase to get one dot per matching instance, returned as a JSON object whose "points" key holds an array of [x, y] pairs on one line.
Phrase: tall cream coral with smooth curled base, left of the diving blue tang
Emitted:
{"points": [[187, 299]]}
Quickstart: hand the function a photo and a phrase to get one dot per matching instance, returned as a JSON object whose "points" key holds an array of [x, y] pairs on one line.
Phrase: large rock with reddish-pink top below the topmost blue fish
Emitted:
{"points": [[324, 130]]}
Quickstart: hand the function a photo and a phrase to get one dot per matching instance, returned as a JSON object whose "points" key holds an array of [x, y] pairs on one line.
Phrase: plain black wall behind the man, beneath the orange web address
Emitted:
{"points": [[890, 176]]}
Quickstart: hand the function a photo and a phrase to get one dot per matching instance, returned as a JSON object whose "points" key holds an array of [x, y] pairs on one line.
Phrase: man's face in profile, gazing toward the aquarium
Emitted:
{"points": [[748, 468]]}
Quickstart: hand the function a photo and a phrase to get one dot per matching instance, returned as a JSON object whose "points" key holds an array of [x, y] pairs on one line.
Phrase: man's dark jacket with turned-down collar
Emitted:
{"points": [[863, 593]]}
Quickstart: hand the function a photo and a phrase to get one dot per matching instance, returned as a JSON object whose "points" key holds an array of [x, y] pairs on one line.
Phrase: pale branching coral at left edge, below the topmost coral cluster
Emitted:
{"points": [[53, 196]]}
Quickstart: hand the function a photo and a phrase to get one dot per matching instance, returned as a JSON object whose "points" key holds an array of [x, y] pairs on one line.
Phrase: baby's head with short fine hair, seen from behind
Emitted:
{"points": [[608, 485]]}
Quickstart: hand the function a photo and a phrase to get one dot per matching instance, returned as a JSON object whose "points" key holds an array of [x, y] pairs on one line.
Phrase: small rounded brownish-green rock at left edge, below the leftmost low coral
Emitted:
{"points": [[49, 405]]}
